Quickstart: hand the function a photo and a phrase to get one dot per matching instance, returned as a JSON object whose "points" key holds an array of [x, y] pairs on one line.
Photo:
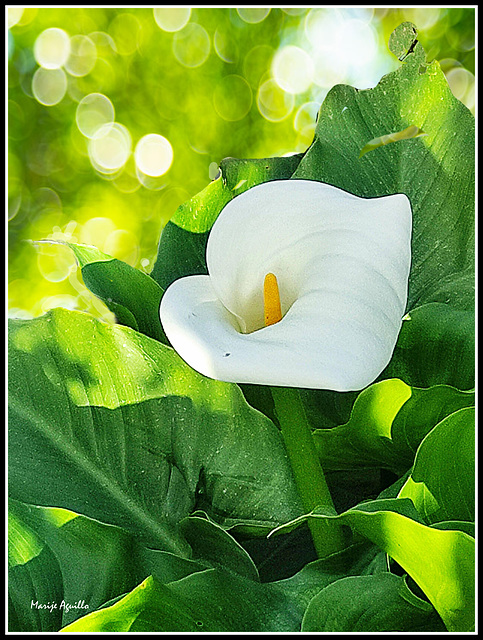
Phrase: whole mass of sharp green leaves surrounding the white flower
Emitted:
{"points": [[142, 493]]}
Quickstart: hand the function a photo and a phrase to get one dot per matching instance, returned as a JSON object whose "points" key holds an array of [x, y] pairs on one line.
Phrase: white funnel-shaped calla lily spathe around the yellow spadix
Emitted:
{"points": [[342, 264]]}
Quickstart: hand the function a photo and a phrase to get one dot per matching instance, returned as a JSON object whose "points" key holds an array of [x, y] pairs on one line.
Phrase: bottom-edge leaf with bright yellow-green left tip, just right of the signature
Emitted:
{"points": [[208, 601]]}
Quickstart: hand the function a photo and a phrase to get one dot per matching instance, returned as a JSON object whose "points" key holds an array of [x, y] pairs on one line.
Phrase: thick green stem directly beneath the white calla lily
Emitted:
{"points": [[327, 535]]}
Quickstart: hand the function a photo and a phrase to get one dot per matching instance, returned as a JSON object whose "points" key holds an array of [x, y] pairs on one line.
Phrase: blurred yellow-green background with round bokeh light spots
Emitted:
{"points": [[118, 115]]}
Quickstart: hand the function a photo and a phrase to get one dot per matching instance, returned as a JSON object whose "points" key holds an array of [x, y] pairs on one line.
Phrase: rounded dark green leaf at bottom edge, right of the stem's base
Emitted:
{"points": [[374, 603]]}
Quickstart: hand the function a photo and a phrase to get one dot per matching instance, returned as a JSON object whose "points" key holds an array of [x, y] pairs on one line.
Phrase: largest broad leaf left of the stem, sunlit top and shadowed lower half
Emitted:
{"points": [[118, 428]]}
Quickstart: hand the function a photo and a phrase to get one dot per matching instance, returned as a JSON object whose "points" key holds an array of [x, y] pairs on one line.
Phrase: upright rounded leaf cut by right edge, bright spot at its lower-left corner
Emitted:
{"points": [[442, 482]]}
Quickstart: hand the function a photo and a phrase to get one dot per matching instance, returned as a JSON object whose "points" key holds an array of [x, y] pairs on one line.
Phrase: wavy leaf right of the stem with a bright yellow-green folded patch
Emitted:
{"points": [[389, 420]]}
